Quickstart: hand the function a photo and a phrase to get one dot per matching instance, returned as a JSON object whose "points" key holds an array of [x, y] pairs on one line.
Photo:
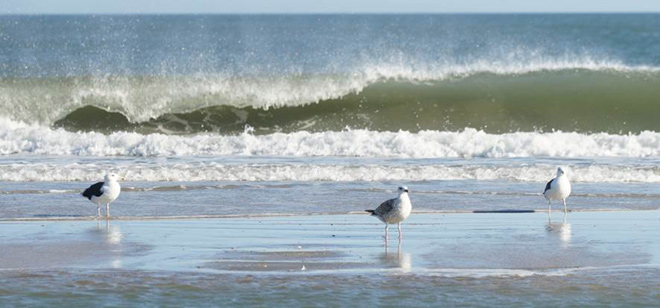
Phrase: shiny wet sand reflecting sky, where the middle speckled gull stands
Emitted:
{"points": [[519, 242]]}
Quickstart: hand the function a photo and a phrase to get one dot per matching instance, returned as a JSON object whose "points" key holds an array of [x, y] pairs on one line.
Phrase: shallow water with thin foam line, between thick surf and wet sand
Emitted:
{"points": [[235, 185]]}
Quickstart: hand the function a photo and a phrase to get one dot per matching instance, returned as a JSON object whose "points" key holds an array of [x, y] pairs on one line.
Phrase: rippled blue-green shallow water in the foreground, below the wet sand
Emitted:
{"points": [[146, 289]]}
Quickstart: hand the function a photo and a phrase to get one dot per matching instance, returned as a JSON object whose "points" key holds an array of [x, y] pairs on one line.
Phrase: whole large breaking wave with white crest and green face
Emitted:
{"points": [[585, 96]]}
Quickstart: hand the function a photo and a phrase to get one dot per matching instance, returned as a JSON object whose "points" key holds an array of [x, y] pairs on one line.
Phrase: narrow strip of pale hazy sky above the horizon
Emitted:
{"points": [[320, 6]]}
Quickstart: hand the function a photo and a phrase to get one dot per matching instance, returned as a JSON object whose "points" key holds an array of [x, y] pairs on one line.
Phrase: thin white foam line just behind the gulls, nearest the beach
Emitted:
{"points": [[215, 171]]}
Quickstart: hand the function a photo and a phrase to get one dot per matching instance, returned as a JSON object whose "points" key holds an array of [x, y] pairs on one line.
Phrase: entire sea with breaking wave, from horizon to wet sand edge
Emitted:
{"points": [[262, 105]]}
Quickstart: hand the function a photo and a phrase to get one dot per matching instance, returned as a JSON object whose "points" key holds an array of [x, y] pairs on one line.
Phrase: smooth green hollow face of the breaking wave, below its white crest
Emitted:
{"points": [[568, 100]]}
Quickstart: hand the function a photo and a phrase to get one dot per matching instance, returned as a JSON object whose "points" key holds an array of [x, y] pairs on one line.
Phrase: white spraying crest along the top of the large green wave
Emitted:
{"points": [[141, 99]]}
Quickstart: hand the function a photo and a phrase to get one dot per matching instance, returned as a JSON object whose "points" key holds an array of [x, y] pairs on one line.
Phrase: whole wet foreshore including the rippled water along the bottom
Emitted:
{"points": [[592, 258]]}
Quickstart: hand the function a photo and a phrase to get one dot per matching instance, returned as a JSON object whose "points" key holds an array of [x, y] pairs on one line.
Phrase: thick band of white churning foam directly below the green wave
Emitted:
{"points": [[21, 138]]}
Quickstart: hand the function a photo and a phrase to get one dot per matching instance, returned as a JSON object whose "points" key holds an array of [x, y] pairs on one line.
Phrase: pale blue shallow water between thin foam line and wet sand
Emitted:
{"points": [[181, 199]]}
